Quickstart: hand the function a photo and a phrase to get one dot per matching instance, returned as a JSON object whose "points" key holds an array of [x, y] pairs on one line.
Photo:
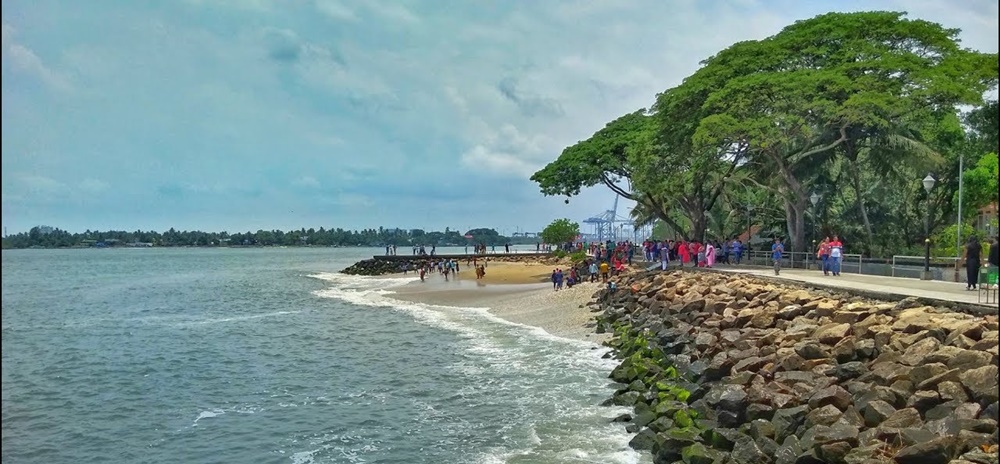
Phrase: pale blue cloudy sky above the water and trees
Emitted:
{"points": [[241, 115]]}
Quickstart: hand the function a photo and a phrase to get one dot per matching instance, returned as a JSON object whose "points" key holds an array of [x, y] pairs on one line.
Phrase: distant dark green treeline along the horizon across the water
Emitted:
{"points": [[48, 237]]}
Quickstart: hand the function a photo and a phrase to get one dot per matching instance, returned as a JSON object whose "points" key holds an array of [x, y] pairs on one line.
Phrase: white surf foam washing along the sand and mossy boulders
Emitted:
{"points": [[509, 358]]}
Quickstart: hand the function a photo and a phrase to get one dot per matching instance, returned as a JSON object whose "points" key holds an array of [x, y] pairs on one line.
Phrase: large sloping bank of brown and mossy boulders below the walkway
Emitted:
{"points": [[735, 369]]}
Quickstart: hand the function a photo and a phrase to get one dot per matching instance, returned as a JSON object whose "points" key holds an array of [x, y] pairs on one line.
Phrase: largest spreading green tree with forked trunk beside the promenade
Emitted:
{"points": [[832, 83]]}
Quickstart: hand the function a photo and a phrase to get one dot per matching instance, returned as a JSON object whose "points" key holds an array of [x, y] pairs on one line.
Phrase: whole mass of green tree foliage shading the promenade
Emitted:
{"points": [[848, 109]]}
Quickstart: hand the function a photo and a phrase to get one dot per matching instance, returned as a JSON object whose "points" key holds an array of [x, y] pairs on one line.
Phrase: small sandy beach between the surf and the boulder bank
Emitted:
{"points": [[517, 292]]}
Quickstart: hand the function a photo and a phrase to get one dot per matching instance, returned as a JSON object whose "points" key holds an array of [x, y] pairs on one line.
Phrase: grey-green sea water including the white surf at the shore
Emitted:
{"points": [[270, 355]]}
